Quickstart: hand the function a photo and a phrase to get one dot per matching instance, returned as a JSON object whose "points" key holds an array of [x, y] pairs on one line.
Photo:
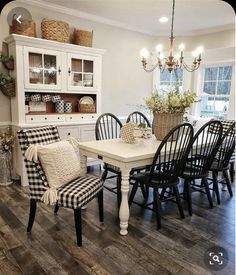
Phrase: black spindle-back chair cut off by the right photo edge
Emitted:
{"points": [[221, 162]]}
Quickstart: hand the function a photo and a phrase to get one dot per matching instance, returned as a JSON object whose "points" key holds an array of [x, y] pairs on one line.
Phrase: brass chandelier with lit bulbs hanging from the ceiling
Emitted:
{"points": [[171, 62]]}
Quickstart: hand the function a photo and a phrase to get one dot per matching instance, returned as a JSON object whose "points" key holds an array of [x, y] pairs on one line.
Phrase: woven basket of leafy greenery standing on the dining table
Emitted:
{"points": [[168, 109]]}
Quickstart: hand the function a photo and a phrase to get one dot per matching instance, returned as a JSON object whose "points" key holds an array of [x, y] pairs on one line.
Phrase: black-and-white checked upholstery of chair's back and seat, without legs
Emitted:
{"points": [[73, 195]]}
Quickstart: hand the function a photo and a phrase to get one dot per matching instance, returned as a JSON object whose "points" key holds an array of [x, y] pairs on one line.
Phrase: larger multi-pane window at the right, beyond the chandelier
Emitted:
{"points": [[216, 91]]}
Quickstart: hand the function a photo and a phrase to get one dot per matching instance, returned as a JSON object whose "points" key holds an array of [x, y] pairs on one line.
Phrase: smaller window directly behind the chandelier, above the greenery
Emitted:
{"points": [[171, 79]]}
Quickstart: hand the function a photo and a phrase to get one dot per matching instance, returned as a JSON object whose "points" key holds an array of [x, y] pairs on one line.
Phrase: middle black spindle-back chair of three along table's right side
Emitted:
{"points": [[204, 147]]}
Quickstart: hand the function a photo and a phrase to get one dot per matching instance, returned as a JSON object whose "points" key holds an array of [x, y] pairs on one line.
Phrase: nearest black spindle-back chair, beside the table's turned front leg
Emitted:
{"points": [[166, 167]]}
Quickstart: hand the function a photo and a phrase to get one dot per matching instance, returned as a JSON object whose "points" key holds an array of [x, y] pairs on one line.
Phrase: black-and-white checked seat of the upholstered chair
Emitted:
{"points": [[79, 192]]}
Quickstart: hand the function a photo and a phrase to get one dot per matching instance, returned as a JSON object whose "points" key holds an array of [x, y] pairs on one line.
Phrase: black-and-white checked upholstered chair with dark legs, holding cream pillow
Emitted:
{"points": [[76, 194]]}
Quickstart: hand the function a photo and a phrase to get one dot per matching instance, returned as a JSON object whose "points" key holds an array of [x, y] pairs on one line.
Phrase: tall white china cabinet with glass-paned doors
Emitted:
{"points": [[46, 69]]}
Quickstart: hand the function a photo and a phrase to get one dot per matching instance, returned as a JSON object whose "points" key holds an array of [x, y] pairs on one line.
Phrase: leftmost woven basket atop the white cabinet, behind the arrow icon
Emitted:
{"points": [[26, 27]]}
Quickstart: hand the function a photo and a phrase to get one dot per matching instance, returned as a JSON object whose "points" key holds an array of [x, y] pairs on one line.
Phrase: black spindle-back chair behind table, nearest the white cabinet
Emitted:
{"points": [[108, 126]]}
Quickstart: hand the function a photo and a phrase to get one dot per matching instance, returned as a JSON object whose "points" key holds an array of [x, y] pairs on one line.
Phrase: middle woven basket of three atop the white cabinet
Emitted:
{"points": [[55, 30]]}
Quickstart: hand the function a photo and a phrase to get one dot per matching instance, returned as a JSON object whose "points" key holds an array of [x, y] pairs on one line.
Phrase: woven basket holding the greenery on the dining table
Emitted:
{"points": [[164, 122]]}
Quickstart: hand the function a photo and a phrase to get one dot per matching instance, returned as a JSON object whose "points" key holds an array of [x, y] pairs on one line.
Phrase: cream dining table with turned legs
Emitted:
{"points": [[123, 155]]}
